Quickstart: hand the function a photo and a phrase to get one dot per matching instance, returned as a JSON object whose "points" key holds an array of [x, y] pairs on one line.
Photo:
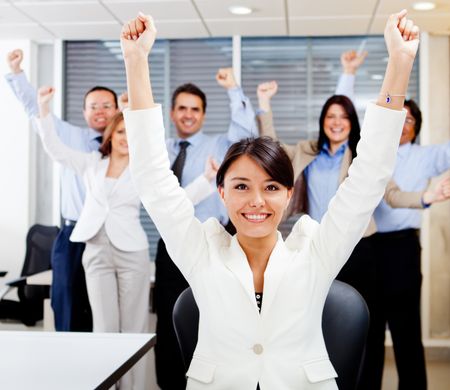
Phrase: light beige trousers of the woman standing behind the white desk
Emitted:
{"points": [[118, 284]]}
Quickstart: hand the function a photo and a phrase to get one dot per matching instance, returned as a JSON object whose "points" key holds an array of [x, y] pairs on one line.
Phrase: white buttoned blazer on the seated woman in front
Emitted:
{"points": [[282, 347]]}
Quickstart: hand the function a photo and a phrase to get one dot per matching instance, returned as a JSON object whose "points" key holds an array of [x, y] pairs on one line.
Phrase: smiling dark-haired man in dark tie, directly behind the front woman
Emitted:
{"points": [[188, 108]]}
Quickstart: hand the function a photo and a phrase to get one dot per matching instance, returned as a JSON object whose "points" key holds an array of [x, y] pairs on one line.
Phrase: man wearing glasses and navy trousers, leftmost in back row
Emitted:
{"points": [[69, 297]]}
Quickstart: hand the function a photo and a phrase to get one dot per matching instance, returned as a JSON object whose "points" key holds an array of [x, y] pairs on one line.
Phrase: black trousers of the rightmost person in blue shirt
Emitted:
{"points": [[398, 285]]}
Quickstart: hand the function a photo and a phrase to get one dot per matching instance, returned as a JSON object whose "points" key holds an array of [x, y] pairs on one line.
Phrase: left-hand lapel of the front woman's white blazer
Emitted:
{"points": [[237, 263]]}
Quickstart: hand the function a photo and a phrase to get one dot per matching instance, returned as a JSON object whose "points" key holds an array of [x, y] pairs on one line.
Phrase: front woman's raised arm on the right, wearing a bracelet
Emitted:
{"points": [[351, 208]]}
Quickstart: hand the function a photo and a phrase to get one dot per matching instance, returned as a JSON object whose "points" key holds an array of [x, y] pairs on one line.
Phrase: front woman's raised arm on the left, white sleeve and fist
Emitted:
{"points": [[159, 190]]}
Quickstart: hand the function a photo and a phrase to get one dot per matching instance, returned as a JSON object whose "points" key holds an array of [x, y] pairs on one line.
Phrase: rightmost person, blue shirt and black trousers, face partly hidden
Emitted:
{"points": [[399, 274]]}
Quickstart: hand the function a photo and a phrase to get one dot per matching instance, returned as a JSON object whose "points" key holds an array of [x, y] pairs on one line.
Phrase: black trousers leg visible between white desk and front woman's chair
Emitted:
{"points": [[169, 284]]}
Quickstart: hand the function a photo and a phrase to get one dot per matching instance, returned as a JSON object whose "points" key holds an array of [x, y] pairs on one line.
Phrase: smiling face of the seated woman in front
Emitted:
{"points": [[255, 202]]}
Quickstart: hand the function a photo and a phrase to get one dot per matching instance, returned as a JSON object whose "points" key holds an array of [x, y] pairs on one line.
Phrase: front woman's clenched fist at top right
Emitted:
{"points": [[401, 35]]}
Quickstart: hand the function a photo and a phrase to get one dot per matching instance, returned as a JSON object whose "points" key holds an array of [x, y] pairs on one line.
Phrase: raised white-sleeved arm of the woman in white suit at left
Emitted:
{"points": [[55, 148]]}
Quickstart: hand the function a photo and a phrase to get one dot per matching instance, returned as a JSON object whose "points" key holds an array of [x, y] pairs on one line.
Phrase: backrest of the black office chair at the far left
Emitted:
{"points": [[39, 240]]}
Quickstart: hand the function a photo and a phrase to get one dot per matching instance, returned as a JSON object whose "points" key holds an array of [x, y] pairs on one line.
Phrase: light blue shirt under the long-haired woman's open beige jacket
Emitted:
{"points": [[322, 178]]}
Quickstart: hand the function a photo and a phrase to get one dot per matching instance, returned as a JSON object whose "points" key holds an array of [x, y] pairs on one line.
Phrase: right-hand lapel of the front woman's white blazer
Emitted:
{"points": [[279, 261]]}
